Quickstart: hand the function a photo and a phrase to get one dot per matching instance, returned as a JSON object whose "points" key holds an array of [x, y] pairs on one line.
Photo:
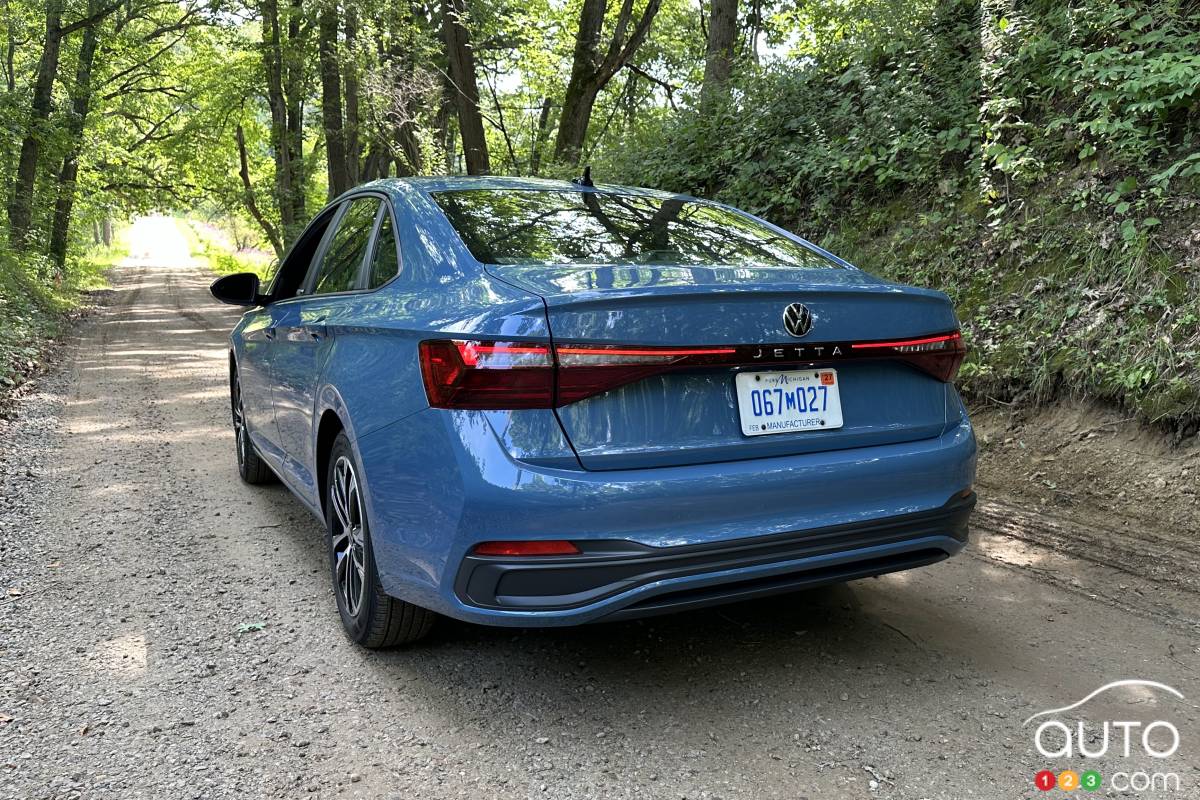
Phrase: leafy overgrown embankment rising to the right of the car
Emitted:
{"points": [[1043, 172]]}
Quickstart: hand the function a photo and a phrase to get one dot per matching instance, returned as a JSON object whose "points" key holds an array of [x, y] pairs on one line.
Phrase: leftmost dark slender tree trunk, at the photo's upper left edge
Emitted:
{"points": [[21, 204]]}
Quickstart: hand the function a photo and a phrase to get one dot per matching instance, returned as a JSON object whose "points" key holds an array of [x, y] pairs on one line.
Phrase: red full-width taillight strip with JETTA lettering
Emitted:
{"points": [[491, 375]]}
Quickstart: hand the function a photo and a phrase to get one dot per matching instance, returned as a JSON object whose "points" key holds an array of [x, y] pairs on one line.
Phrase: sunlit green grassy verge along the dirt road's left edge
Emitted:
{"points": [[35, 309]]}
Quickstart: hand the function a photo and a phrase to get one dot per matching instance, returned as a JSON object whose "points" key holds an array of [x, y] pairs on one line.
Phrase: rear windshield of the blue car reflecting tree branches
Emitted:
{"points": [[566, 227]]}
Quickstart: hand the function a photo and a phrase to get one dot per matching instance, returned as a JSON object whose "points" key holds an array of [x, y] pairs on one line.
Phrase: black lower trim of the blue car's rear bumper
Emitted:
{"points": [[691, 576]]}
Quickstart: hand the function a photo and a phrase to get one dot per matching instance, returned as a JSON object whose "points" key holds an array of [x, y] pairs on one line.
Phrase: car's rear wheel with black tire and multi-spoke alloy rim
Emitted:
{"points": [[371, 617]]}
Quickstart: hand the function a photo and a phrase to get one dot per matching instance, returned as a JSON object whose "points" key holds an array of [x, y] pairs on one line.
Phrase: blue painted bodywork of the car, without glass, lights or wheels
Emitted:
{"points": [[439, 482]]}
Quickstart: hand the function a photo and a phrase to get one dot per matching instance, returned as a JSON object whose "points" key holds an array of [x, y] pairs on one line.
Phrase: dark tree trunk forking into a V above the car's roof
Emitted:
{"points": [[591, 73]]}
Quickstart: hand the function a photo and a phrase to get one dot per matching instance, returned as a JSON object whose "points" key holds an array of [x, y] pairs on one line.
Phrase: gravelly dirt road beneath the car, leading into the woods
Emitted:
{"points": [[167, 631]]}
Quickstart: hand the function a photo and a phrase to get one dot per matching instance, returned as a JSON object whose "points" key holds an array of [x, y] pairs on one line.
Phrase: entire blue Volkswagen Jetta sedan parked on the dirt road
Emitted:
{"points": [[523, 402]]}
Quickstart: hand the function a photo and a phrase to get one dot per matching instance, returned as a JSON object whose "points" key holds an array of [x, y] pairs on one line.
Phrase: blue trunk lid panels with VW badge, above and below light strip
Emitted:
{"points": [[689, 417]]}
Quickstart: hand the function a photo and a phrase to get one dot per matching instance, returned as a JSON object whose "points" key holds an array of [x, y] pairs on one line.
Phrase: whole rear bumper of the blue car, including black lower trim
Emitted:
{"points": [[653, 540]]}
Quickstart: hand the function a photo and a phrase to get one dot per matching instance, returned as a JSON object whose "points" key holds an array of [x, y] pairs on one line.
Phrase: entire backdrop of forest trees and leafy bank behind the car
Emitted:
{"points": [[1039, 161]]}
